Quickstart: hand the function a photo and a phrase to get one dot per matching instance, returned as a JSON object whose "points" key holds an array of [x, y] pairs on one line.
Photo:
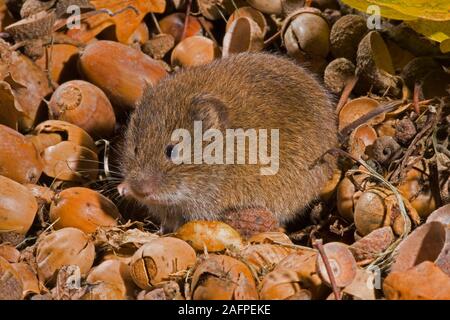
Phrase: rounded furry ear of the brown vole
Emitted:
{"points": [[210, 110]]}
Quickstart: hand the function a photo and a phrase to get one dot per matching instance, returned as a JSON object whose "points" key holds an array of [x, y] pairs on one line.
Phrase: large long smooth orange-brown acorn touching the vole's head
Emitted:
{"points": [[124, 78]]}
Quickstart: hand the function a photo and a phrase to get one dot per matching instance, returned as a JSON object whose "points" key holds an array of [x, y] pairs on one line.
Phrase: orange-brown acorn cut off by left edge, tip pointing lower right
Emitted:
{"points": [[14, 147]]}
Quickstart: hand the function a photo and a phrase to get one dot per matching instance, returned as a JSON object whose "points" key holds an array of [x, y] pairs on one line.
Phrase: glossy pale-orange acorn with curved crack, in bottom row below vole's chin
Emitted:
{"points": [[158, 259]]}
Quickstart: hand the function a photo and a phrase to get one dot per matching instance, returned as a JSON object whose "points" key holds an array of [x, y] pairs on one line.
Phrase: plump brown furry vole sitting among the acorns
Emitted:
{"points": [[258, 91]]}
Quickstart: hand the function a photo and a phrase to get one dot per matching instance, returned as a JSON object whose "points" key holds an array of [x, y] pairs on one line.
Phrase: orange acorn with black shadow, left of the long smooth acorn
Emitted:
{"points": [[64, 59]]}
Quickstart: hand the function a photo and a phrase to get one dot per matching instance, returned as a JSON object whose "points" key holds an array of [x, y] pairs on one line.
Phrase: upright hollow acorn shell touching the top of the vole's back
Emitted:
{"points": [[243, 35]]}
